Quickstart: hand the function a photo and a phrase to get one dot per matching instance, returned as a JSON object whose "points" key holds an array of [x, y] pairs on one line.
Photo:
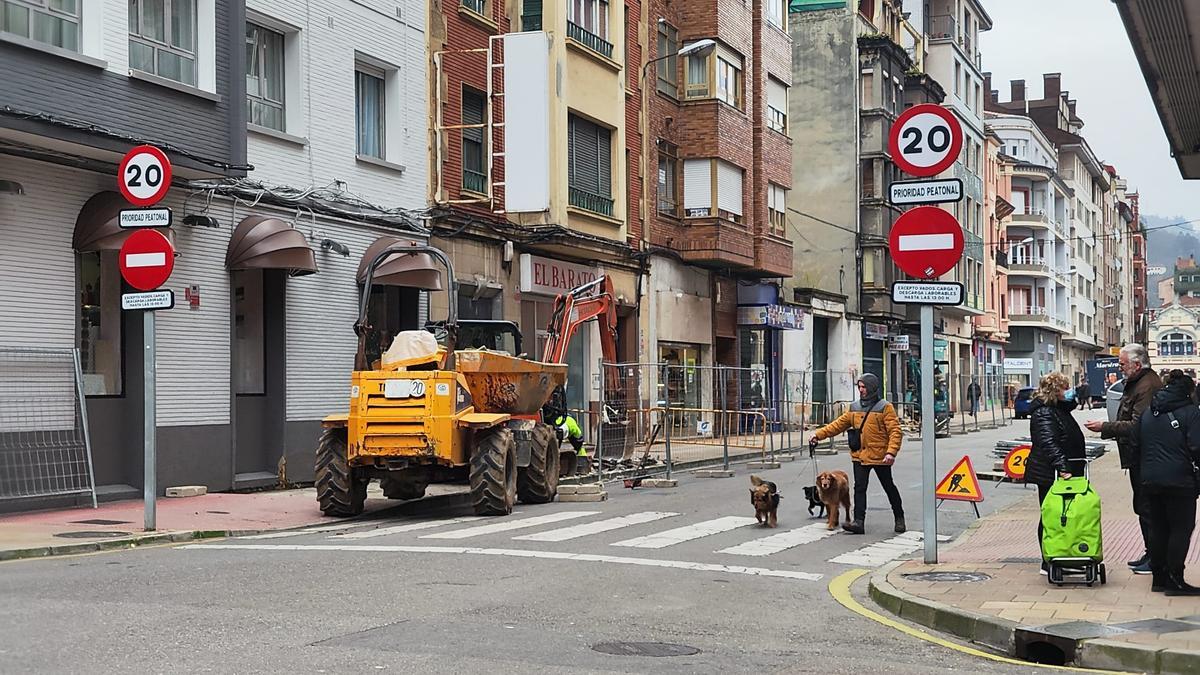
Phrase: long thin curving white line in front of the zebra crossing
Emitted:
{"points": [[519, 553]]}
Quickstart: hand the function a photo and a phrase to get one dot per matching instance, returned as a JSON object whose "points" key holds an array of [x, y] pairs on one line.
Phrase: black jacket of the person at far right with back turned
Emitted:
{"points": [[1167, 452]]}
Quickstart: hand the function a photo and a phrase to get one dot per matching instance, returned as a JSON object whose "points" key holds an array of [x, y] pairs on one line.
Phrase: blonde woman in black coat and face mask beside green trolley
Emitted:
{"points": [[1058, 440]]}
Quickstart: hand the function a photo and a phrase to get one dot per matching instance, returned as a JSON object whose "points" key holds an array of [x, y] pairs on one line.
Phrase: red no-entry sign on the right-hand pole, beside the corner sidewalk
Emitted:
{"points": [[927, 242]]}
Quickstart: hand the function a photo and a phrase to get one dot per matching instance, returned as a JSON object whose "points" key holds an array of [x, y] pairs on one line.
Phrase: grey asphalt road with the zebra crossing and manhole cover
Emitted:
{"points": [[419, 592]]}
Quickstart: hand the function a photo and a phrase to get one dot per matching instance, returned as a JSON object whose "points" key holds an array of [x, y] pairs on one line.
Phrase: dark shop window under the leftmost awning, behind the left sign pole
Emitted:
{"points": [[100, 324]]}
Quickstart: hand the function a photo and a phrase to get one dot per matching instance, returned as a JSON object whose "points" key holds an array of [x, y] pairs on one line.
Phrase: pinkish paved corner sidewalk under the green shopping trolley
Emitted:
{"points": [[1121, 625]]}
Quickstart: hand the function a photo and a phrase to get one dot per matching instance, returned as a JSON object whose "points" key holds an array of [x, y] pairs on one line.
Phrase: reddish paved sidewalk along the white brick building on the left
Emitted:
{"points": [[118, 525]]}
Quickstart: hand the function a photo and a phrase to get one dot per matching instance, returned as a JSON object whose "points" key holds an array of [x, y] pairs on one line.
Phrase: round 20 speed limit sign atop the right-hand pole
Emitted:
{"points": [[926, 140]]}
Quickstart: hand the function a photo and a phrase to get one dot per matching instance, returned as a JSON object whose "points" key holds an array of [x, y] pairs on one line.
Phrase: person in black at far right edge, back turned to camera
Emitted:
{"points": [[1169, 437]]}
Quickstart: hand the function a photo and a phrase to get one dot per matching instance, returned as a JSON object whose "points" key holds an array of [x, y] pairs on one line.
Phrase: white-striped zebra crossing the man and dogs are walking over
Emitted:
{"points": [[556, 527]]}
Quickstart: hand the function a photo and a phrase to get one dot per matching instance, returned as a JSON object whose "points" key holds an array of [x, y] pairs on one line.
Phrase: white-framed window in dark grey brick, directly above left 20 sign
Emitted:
{"points": [[163, 39]]}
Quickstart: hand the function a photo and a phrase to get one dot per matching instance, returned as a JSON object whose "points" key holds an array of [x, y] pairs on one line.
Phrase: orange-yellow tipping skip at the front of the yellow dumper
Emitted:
{"points": [[502, 384]]}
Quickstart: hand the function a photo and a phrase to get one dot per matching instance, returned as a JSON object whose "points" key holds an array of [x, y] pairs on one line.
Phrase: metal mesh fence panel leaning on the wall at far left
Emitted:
{"points": [[45, 450]]}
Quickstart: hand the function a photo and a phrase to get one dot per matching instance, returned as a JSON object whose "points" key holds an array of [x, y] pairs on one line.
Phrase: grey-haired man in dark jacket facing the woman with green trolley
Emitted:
{"points": [[1142, 385]]}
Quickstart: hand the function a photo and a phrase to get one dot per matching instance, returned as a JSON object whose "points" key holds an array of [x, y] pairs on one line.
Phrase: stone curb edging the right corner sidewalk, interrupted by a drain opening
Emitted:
{"points": [[1001, 634]]}
